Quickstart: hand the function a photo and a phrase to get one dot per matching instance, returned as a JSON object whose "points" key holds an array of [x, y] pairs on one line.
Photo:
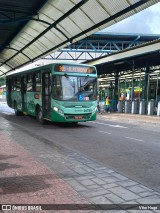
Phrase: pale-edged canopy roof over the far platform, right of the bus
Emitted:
{"points": [[129, 59]]}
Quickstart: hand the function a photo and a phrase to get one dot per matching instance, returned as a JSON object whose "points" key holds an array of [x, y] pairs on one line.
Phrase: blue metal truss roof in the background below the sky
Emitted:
{"points": [[100, 44]]}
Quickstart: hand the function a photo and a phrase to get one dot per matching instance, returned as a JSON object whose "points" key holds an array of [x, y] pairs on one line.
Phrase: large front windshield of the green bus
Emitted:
{"points": [[74, 88]]}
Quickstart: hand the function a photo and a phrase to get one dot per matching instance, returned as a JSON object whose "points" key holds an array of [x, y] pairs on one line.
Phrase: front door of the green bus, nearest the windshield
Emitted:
{"points": [[46, 94]]}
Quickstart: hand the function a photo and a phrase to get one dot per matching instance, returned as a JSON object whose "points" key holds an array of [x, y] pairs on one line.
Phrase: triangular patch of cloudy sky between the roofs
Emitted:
{"points": [[144, 22]]}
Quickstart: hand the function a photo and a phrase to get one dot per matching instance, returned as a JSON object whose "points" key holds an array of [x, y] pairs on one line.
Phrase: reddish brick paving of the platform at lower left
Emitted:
{"points": [[24, 180]]}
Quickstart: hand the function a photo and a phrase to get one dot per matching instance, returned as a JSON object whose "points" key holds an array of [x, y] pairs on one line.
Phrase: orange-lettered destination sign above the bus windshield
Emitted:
{"points": [[74, 68]]}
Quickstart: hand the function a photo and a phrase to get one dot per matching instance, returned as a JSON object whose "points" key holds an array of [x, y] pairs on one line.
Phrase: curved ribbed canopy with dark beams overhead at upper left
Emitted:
{"points": [[32, 29]]}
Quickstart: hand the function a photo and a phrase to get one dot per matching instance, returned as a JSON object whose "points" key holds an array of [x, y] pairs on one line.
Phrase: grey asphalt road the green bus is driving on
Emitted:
{"points": [[130, 149]]}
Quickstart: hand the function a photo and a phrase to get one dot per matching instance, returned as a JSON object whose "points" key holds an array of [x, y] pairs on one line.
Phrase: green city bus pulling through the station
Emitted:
{"points": [[59, 92]]}
